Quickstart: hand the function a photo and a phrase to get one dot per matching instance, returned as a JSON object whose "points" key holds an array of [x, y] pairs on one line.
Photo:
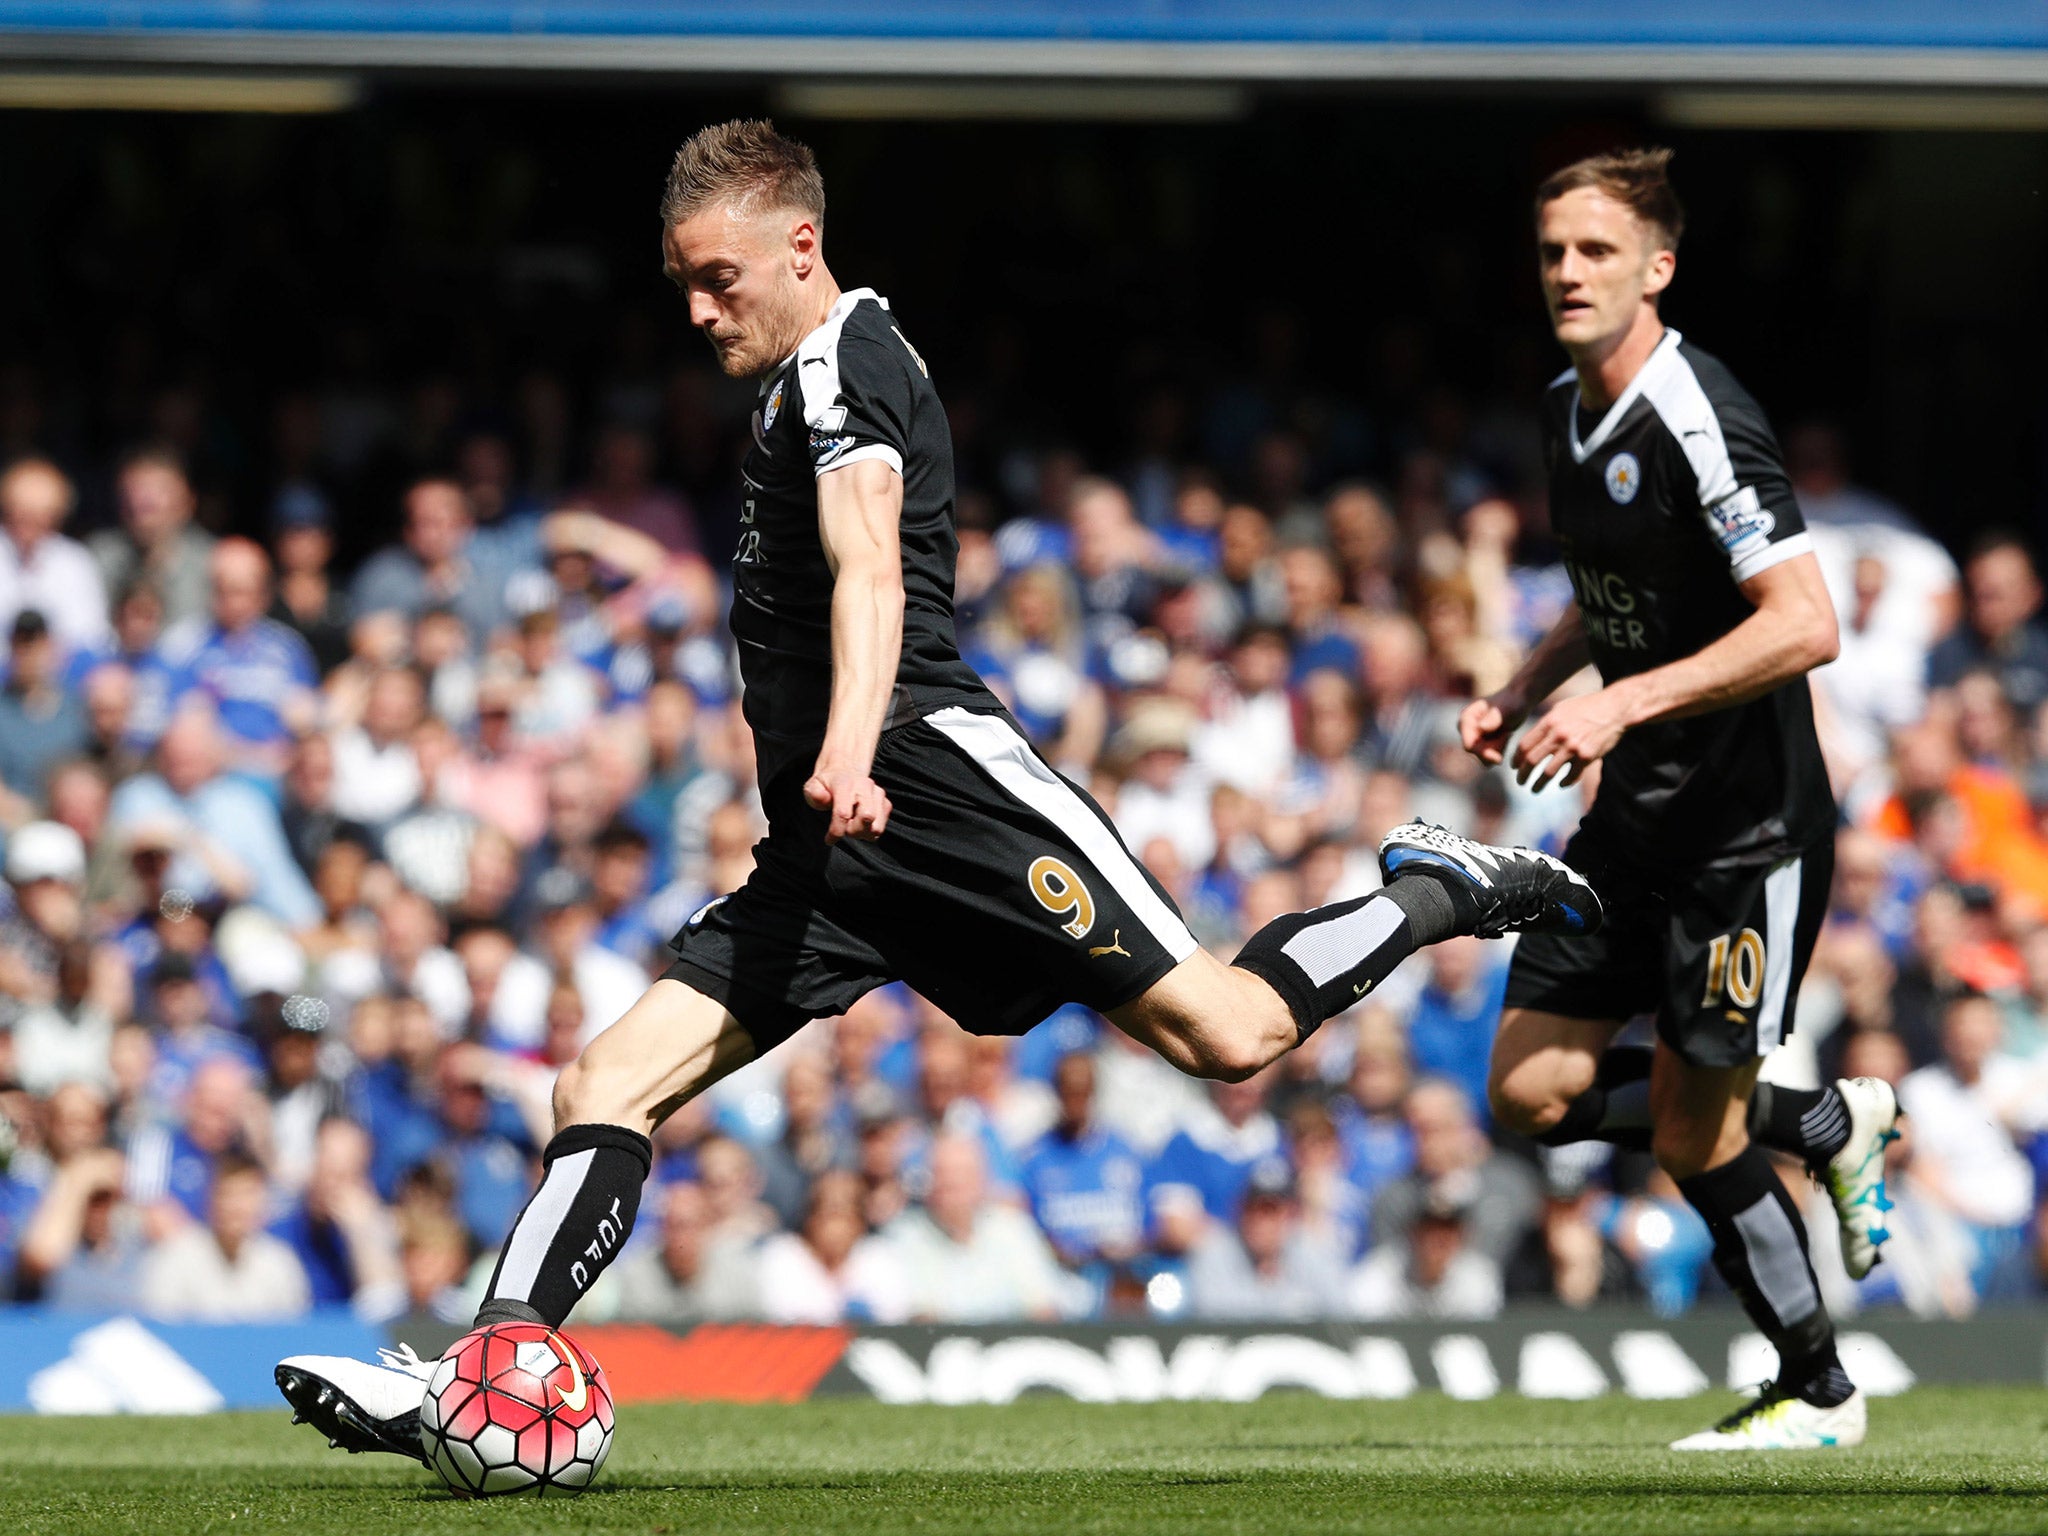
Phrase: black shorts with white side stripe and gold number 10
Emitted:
{"points": [[1715, 953]]}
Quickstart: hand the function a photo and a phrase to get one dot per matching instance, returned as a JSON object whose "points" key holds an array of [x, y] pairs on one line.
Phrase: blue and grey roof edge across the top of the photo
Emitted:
{"points": [[1486, 42]]}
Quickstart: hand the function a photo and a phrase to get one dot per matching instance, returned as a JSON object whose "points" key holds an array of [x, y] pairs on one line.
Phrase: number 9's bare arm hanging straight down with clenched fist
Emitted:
{"points": [[859, 511]]}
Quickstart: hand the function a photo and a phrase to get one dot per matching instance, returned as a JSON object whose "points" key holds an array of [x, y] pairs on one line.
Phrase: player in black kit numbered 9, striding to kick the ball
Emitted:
{"points": [[912, 830]]}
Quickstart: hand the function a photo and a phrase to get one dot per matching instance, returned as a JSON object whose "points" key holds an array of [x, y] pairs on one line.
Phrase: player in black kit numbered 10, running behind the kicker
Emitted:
{"points": [[1711, 839]]}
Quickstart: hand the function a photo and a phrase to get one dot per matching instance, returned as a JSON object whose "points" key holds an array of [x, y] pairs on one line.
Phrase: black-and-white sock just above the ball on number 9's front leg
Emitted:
{"points": [[572, 1226]]}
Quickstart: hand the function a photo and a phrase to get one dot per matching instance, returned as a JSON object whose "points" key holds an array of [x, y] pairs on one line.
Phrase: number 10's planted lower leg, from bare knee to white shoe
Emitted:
{"points": [[1760, 1250]]}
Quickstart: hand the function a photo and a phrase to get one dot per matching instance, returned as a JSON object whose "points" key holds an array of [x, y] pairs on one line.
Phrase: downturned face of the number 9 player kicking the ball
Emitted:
{"points": [[740, 278]]}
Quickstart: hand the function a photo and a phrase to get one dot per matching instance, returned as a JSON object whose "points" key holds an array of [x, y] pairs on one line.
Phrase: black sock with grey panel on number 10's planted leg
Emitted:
{"points": [[1760, 1248]]}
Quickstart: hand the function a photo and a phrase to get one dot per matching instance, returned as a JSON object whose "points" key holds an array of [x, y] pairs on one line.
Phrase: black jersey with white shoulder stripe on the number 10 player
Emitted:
{"points": [[1674, 499]]}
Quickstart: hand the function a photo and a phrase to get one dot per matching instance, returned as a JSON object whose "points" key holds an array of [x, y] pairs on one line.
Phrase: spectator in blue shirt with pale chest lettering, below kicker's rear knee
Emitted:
{"points": [[1084, 1183]]}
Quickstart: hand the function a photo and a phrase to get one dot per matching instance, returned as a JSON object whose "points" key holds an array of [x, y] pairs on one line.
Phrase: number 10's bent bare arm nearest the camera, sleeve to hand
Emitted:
{"points": [[1789, 634]]}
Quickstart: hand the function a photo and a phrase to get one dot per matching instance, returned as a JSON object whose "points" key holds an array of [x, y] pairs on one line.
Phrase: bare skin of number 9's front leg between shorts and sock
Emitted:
{"points": [[665, 1052]]}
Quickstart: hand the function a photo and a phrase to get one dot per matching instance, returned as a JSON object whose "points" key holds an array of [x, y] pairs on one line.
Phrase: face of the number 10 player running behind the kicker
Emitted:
{"points": [[1601, 265]]}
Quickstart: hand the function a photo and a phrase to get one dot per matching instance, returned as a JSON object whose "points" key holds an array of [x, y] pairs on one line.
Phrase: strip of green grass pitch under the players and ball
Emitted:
{"points": [[1940, 1461]]}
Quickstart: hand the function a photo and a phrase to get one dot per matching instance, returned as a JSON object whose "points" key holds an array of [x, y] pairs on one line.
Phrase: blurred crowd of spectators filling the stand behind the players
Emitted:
{"points": [[325, 853]]}
